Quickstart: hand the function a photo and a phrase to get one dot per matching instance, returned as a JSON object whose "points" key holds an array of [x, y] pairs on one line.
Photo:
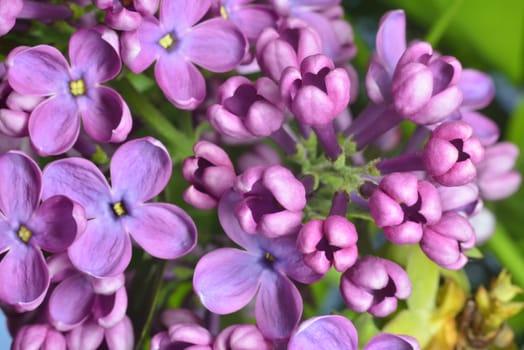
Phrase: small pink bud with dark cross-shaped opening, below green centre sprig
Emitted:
{"points": [[328, 242]]}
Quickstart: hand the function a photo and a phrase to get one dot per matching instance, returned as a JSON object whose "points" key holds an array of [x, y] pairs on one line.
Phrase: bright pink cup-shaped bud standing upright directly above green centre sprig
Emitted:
{"points": [[318, 92]]}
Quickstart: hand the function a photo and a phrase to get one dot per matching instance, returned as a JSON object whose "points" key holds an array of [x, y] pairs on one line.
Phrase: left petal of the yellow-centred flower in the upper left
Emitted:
{"points": [[41, 70]]}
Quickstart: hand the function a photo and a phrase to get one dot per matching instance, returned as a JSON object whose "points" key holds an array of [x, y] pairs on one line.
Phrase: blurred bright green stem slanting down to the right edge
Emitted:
{"points": [[508, 254]]}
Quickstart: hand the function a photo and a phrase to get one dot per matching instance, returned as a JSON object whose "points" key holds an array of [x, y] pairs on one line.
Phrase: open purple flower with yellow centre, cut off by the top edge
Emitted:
{"points": [[176, 41]]}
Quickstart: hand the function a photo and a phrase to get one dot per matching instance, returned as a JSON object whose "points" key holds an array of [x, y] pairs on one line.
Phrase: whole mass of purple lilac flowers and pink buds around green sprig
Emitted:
{"points": [[69, 228]]}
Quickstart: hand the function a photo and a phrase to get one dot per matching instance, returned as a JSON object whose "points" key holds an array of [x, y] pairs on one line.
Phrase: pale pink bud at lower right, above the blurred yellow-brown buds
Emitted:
{"points": [[446, 241]]}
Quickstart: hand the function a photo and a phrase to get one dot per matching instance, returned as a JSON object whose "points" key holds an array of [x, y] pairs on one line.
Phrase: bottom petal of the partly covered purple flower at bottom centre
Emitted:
{"points": [[278, 307]]}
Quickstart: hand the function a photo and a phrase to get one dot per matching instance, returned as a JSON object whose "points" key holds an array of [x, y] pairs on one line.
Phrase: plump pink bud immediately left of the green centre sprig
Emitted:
{"points": [[272, 203]]}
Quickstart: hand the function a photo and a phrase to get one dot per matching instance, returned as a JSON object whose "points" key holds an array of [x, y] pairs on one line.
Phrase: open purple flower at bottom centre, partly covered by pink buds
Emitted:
{"points": [[226, 279]]}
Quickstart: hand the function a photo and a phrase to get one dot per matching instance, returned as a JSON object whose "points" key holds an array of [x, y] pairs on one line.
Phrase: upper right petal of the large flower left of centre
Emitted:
{"points": [[140, 169]]}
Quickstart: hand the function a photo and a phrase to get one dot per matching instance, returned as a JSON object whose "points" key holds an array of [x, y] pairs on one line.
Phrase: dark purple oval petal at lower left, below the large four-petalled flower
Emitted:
{"points": [[71, 302]]}
